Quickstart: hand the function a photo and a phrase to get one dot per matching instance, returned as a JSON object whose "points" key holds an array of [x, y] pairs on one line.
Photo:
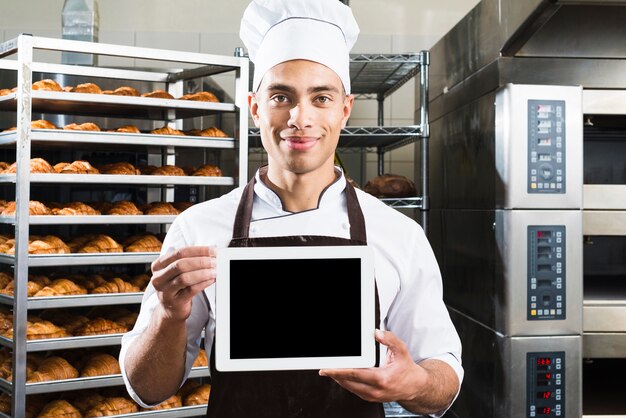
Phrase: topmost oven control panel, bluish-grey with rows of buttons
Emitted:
{"points": [[546, 146]]}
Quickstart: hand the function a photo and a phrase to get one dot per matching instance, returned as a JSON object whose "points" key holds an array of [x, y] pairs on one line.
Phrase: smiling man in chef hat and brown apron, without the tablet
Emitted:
{"points": [[300, 101]]}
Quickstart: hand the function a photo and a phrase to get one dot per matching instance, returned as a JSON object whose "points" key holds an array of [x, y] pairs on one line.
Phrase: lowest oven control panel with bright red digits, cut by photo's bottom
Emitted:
{"points": [[545, 381]]}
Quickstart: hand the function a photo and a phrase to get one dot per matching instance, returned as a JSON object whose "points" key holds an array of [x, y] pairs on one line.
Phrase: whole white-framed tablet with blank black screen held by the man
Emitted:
{"points": [[295, 308]]}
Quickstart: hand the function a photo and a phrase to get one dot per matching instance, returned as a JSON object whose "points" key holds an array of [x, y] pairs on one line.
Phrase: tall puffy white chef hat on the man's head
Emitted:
{"points": [[276, 31]]}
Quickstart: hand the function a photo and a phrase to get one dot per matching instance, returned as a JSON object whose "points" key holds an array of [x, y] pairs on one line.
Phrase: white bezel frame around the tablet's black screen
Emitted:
{"points": [[367, 358]]}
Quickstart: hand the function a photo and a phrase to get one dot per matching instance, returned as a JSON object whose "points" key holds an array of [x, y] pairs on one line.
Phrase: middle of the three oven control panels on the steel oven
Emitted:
{"points": [[546, 272]]}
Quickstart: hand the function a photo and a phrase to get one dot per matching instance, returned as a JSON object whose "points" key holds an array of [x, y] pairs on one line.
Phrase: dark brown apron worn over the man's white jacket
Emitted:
{"points": [[289, 393]]}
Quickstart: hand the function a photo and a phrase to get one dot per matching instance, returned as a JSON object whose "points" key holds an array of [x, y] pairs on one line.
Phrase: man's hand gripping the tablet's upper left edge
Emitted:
{"points": [[179, 275]]}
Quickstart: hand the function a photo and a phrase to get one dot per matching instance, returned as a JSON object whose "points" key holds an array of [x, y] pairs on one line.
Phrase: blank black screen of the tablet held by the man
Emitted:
{"points": [[306, 303]]}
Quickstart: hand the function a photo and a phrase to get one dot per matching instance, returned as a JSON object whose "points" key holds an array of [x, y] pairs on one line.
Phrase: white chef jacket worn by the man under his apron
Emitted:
{"points": [[407, 274]]}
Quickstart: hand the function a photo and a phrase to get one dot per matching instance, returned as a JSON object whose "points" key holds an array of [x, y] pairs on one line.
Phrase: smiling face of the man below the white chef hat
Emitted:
{"points": [[300, 108]]}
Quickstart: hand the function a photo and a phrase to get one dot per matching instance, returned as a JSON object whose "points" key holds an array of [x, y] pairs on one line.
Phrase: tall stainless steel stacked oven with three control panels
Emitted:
{"points": [[528, 204]]}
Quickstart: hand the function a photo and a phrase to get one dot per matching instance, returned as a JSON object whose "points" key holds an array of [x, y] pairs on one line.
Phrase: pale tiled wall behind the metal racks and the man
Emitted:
{"points": [[387, 27]]}
